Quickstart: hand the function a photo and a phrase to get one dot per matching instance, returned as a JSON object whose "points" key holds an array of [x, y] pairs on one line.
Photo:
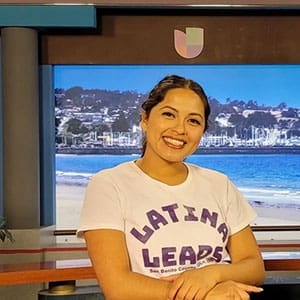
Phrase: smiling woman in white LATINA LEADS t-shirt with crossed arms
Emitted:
{"points": [[160, 228]]}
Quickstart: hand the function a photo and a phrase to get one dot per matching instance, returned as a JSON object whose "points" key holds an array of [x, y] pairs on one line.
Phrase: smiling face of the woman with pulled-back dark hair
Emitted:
{"points": [[175, 126]]}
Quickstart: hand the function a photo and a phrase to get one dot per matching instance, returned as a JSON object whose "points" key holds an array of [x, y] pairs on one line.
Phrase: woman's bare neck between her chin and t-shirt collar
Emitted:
{"points": [[170, 173]]}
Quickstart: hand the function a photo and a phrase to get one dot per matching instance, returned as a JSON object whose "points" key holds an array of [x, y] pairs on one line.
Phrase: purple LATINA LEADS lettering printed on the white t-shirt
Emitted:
{"points": [[177, 258]]}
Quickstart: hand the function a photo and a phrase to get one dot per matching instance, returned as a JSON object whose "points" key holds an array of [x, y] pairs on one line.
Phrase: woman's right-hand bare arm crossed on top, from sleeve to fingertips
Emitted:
{"points": [[246, 267]]}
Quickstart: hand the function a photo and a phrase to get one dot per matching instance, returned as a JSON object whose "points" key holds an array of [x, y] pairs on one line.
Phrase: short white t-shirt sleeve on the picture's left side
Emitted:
{"points": [[102, 206]]}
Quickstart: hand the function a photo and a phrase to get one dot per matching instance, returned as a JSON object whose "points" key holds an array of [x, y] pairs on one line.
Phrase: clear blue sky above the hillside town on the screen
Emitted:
{"points": [[265, 84]]}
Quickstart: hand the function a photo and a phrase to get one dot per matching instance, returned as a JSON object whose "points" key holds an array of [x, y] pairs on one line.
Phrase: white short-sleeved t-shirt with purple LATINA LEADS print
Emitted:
{"points": [[168, 229]]}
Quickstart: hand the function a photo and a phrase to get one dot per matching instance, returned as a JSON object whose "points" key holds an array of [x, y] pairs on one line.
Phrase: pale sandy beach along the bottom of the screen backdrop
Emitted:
{"points": [[70, 199]]}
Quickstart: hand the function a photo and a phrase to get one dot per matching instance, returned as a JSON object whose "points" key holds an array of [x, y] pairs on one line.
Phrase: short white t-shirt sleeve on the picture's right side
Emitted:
{"points": [[239, 212]]}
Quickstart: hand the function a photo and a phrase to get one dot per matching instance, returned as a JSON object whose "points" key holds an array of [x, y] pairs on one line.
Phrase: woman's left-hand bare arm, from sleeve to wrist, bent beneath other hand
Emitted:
{"points": [[109, 256]]}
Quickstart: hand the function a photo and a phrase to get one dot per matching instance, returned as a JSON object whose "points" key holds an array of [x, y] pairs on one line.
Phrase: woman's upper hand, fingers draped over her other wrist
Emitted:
{"points": [[192, 284]]}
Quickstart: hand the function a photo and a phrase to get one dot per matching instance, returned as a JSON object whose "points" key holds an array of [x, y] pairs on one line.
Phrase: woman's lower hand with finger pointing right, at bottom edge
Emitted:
{"points": [[232, 290]]}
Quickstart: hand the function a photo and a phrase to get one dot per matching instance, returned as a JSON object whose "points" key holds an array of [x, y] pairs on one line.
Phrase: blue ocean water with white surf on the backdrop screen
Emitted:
{"points": [[270, 180]]}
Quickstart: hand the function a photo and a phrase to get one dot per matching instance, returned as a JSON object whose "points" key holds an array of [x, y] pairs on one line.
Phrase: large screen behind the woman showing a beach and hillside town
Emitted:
{"points": [[253, 135]]}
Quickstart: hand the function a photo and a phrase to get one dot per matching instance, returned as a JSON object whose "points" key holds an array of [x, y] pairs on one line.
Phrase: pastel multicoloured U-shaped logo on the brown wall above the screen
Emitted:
{"points": [[190, 43]]}
